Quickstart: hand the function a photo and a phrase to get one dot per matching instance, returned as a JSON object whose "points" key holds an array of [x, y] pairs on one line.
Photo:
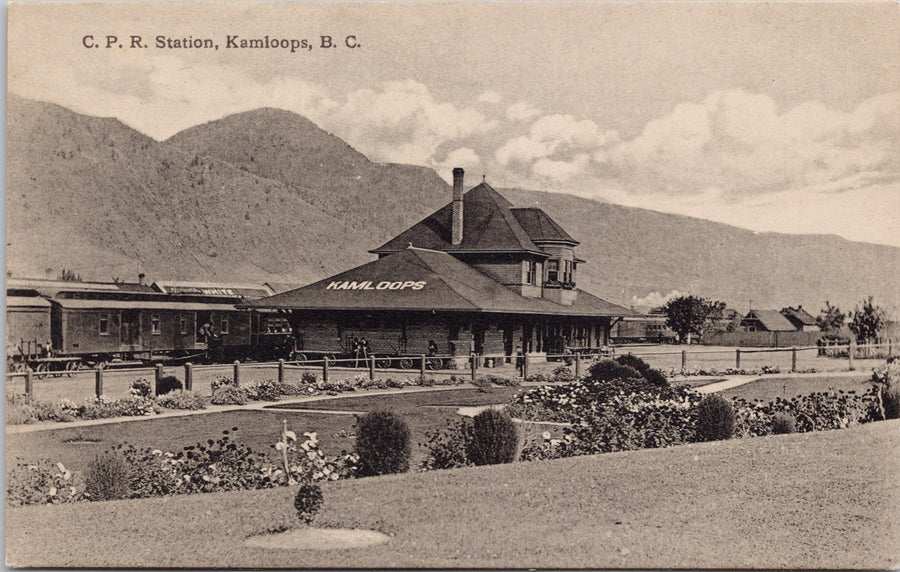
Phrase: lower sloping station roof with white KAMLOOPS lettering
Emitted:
{"points": [[417, 279]]}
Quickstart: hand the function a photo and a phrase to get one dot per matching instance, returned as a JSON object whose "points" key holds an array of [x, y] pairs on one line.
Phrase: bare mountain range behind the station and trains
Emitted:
{"points": [[267, 195]]}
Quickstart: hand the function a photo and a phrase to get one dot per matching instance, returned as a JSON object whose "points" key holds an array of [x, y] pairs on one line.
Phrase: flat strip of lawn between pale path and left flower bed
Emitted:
{"points": [[423, 411]]}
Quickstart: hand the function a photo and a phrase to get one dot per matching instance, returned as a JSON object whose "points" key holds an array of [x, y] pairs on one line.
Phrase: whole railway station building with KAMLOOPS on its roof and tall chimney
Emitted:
{"points": [[477, 275]]}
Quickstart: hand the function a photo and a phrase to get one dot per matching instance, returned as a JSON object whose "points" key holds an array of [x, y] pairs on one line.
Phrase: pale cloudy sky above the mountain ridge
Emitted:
{"points": [[772, 117]]}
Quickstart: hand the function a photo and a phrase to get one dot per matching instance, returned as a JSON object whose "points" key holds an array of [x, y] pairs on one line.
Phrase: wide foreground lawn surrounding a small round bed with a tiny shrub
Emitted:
{"points": [[814, 500]]}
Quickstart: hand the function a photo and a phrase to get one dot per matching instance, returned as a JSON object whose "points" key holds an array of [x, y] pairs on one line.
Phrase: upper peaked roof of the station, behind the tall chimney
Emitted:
{"points": [[488, 226]]}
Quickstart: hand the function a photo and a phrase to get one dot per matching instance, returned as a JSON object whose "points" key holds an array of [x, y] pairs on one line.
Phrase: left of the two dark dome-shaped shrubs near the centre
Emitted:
{"points": [[383, 443]]}
